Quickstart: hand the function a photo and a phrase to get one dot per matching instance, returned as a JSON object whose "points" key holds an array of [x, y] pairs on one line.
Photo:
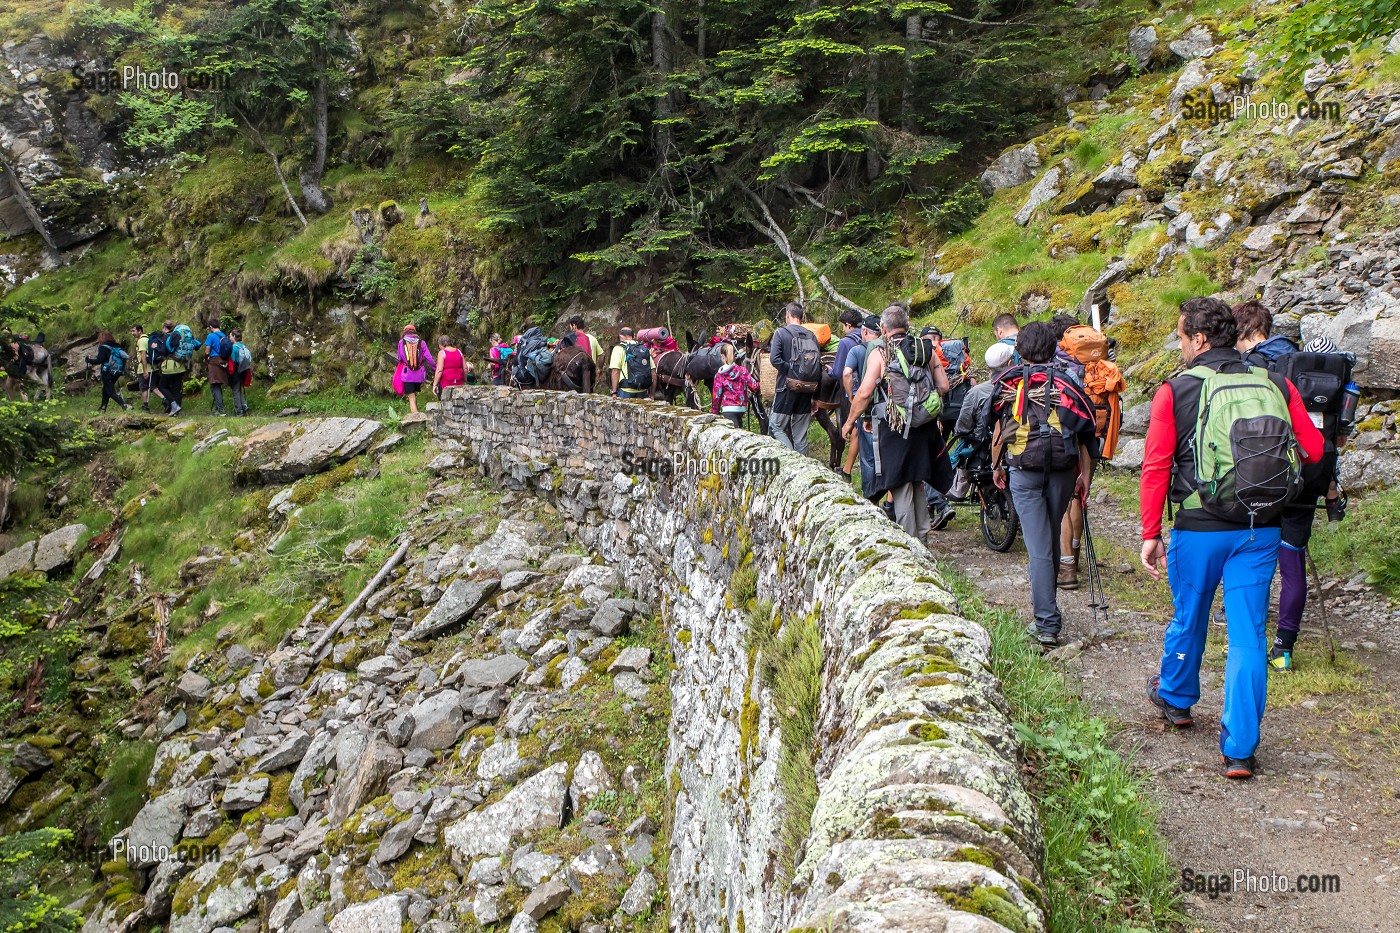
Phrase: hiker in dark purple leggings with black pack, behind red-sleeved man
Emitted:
{"points": [[1326, 375]]}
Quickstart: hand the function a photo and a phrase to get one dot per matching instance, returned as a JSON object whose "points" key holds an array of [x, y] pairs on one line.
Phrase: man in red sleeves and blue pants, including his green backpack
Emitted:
{"points": [[1220, 539]]}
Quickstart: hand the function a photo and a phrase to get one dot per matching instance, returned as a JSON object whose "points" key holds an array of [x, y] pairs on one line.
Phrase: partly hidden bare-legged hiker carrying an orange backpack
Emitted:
{"points": [[1084, 352]]}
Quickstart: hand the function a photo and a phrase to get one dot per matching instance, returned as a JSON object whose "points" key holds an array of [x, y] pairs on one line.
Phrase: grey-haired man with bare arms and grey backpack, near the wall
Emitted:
{"points": [[905, 397]]}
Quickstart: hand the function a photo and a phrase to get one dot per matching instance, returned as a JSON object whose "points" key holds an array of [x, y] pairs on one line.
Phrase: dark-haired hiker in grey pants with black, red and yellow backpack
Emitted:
{"points": [[1044, 456]]}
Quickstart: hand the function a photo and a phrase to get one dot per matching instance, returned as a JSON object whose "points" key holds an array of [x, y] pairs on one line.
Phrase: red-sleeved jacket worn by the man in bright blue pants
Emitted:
{"points": [[1165, 445]]}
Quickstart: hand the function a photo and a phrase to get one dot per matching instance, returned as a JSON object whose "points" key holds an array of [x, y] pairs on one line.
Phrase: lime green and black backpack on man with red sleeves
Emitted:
{"points": [[1248, 466]]}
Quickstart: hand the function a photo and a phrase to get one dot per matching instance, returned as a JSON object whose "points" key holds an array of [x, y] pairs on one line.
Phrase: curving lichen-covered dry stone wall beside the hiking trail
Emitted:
{"points": [[922, 822]]}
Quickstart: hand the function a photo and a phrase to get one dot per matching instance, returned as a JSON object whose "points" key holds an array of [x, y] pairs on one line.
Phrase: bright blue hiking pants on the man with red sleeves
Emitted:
{"points": [[1198, 564]]}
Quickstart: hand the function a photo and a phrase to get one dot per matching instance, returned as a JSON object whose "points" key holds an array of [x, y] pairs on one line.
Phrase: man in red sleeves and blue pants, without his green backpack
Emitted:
{"points": [[1209, 550]]}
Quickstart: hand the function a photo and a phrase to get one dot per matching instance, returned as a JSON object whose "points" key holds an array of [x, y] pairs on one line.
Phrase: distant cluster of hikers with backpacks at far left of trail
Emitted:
{"points": [[163, 361]]}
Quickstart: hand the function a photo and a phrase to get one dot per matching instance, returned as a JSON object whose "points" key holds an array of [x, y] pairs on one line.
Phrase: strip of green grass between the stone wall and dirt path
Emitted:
{"points": [[1107, 864]]}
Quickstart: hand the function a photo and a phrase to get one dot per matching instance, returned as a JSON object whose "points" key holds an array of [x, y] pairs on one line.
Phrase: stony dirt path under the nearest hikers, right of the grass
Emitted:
{"points": [[1325, 801]]}
